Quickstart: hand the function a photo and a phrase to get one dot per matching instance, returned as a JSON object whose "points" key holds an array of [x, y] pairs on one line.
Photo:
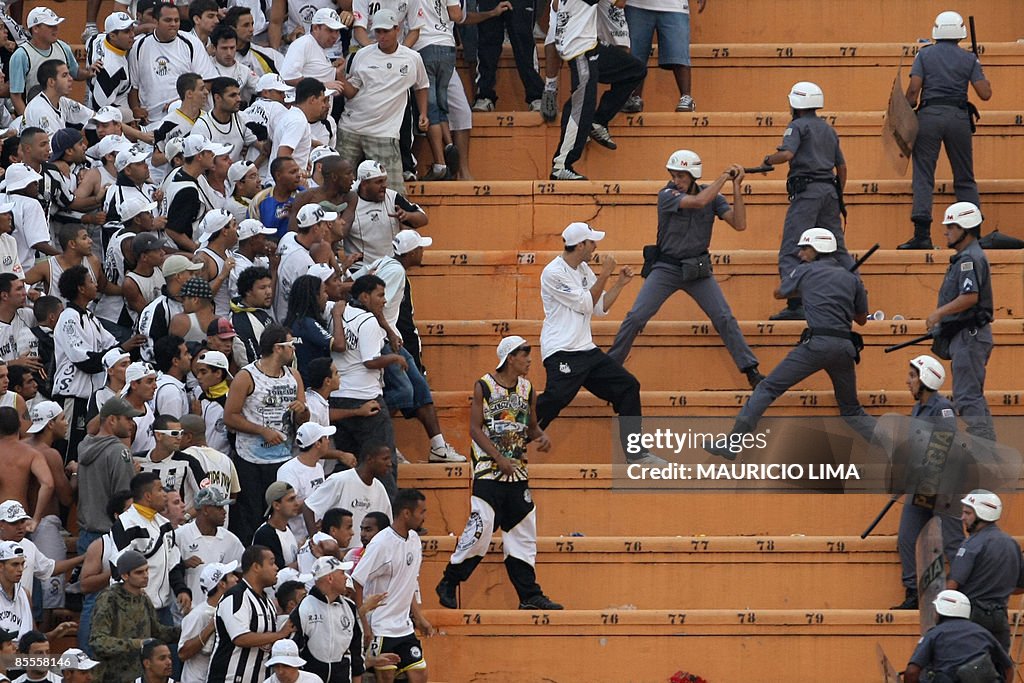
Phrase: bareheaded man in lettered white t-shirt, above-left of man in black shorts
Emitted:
{"points": [[358, 490]]}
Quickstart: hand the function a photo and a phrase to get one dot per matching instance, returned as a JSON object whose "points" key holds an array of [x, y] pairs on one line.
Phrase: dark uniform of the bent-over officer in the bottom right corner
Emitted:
{"points": [[951, 645]]}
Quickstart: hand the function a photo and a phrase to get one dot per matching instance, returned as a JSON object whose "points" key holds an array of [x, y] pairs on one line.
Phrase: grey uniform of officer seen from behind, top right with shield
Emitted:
{"points": [[944, 119]]}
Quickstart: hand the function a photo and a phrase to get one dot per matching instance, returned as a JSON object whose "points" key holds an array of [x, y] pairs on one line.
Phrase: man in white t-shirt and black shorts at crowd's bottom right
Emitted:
{"points": [[392, 565]]}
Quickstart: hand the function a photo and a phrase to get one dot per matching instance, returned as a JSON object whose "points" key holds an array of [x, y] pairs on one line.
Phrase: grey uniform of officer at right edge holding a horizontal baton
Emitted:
{"points": [[972, 345]]}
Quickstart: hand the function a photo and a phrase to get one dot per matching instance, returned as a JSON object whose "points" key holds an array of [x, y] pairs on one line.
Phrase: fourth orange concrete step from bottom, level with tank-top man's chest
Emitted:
{"points": [[583, 433]]}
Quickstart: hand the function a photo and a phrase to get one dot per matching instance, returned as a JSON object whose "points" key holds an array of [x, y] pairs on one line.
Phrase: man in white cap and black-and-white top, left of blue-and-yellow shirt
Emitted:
{"points": [[185, 198]]}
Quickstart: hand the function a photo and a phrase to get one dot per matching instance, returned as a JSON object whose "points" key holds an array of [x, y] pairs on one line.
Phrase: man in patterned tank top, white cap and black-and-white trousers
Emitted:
{"points": [[503, 421]]}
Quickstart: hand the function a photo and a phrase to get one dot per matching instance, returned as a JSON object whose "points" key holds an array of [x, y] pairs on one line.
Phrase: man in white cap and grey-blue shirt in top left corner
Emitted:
{"points": [[25, 62]]}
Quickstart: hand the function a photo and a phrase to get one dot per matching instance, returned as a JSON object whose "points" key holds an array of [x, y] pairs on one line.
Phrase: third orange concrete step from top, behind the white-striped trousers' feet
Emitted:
{"points": [[520, 146]]}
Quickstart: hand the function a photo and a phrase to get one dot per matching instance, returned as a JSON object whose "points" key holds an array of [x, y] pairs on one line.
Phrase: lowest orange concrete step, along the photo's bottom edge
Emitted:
{"points": [[627, 647]]}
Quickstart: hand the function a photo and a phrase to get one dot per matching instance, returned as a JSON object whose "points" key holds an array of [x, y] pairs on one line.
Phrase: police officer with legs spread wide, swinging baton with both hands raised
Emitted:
{"points": [[687, 212]]}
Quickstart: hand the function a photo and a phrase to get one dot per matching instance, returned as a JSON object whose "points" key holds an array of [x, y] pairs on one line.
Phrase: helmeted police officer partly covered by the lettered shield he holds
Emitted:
{"points": [[924, 380]]}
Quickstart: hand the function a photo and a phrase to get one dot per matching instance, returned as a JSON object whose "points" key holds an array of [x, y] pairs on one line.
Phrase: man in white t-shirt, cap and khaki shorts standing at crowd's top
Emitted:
{"points": [[379, 79]]}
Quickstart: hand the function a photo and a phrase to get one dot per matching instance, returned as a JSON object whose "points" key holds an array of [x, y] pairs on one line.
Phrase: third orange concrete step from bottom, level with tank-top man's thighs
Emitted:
{"points": [[583, 498]]}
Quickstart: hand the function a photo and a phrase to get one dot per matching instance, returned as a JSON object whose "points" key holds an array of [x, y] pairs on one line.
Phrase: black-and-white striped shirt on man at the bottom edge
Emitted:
{"points": [[242, 611]]}
